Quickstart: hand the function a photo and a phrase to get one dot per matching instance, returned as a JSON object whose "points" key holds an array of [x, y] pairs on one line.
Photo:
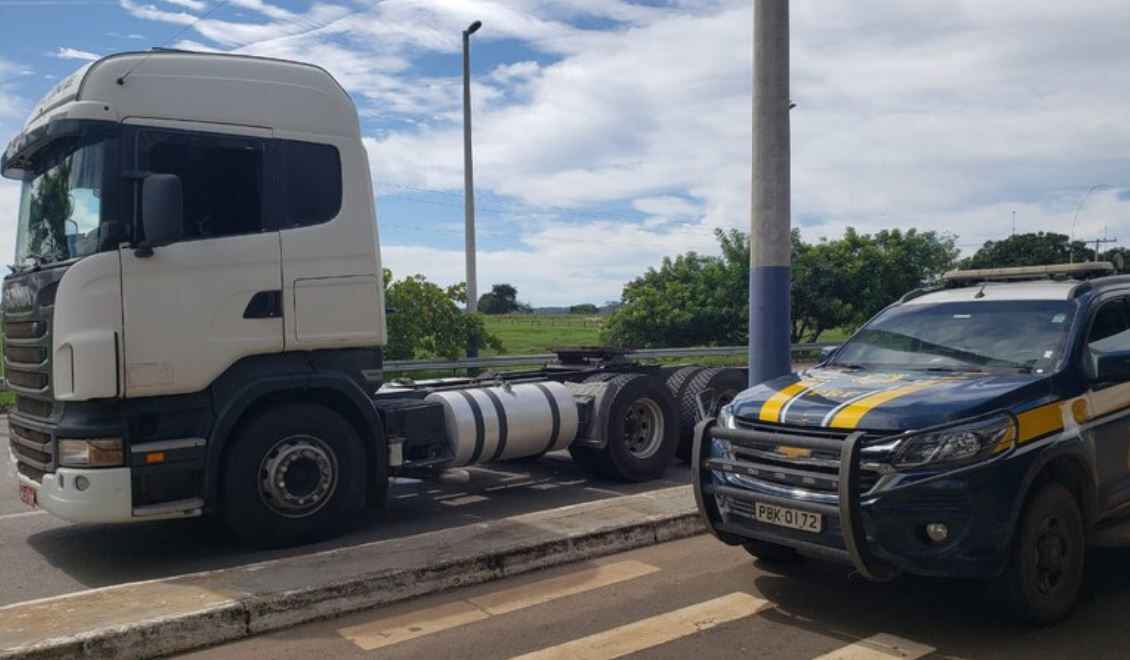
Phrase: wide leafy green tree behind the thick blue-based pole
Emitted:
{"points": [[696, 300]]}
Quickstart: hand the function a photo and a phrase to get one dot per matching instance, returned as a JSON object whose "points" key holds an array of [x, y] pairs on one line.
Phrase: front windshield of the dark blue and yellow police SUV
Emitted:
{"points": [[1024, 335]]}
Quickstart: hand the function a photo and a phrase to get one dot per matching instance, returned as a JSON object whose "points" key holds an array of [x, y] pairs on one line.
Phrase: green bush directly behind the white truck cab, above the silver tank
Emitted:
{"points": [[425, 322]]}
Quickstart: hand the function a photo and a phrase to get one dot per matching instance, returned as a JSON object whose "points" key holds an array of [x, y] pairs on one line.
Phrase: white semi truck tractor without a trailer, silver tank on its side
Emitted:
{"points": [[195, 319]]}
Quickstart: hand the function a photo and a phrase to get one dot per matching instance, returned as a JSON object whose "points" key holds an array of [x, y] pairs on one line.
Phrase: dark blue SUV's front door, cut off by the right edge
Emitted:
{"points": [[1108, 405]]}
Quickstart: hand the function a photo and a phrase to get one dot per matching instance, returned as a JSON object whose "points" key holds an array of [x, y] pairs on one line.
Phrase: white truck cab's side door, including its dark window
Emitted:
{"points": [[194, 308]]}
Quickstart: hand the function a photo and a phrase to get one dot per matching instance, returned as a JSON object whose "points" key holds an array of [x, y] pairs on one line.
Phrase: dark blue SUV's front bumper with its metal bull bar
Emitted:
{"points": [[880, 533]]}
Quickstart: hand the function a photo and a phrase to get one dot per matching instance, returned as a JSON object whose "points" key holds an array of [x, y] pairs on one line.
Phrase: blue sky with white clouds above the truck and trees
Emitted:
{"points": [[611, 134]]}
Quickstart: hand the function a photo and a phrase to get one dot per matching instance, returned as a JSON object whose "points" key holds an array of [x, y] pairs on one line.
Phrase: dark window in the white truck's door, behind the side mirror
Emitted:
{"points": [[222, 178]]}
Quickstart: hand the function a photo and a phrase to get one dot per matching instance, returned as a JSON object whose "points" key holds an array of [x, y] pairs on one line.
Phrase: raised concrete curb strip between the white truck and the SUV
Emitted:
{"points": [[160, 618]]}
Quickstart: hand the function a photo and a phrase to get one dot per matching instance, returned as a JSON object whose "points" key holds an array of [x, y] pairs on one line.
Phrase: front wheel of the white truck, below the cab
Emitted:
{"points": [[294, 474]]}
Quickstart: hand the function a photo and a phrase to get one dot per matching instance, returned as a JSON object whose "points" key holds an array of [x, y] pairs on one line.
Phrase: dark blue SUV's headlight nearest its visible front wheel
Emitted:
{"points": [[964, 444]]}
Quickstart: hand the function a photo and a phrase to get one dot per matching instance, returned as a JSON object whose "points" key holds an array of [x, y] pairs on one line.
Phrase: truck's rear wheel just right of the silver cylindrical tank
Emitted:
{"points": [[641, 428]]}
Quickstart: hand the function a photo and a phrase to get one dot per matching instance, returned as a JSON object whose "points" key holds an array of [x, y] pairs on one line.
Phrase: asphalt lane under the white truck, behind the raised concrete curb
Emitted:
{"points": [[42, 557]]}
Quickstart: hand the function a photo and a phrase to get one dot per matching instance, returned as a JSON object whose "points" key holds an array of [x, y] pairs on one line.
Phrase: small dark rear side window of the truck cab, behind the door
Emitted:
{"points": [[312, 183]]}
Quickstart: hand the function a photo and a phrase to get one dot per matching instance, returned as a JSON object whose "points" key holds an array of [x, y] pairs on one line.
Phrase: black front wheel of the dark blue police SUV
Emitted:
{"points": [[1046, 571]]}
